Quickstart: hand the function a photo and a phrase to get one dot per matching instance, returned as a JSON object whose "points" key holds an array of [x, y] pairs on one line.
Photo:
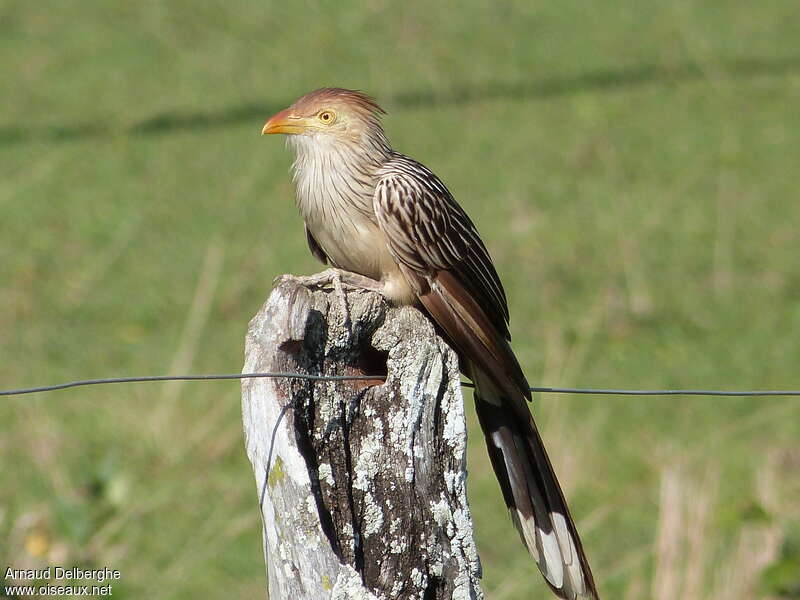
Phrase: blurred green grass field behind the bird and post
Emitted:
{"points": [[633, 167]]}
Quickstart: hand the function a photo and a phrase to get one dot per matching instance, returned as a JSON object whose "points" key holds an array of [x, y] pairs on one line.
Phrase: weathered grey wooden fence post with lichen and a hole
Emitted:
{"points": [[362, 485]]}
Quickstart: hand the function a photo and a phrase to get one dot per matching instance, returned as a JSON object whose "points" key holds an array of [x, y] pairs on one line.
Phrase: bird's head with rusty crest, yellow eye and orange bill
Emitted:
{"points": [[336, 112]]}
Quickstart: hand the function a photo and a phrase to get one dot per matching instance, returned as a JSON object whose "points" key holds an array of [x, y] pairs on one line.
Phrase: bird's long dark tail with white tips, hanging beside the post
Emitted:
{"points": [[532, 493]]}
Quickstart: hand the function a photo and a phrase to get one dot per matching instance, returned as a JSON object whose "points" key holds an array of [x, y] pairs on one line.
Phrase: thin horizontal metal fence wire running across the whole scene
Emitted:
{"points": [[545, 390]]}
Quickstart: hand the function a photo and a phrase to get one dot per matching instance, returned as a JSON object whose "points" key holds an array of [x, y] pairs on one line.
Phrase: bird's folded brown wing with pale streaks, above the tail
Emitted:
{"points": [[442, 255]]}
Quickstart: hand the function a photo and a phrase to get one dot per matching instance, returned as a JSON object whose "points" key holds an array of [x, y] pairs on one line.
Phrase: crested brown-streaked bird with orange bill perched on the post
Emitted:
{"points": [[385, 222]]}
